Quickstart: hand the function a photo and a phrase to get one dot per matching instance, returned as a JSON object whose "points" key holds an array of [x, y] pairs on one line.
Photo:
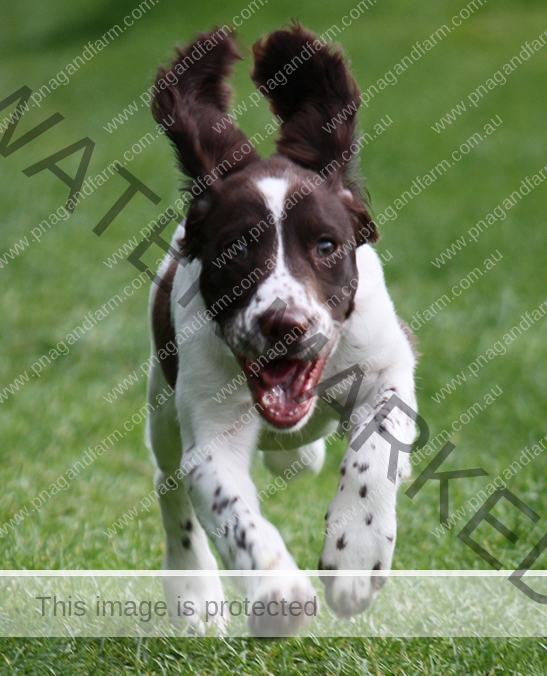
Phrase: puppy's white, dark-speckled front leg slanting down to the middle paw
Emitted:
{"points": [[226, 503]]}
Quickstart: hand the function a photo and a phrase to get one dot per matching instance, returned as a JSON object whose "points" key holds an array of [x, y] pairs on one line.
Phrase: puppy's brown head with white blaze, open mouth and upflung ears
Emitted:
{"points": [[276, 237]]}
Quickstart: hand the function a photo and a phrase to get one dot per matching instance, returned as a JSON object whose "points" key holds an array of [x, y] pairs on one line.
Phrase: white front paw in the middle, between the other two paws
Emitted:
{"points": [[288, 604]]}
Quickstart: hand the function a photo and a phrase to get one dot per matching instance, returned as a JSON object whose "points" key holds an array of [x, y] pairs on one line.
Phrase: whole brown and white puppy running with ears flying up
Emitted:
{"points": [[290, 294]]}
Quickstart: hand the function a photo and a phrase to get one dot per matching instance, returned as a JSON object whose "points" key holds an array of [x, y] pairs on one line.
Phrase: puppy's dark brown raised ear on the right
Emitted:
{"points": [[318, 105]]}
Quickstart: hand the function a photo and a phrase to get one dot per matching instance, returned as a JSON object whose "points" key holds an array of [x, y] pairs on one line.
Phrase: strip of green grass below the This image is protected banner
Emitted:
{"points": [[291, 657]]}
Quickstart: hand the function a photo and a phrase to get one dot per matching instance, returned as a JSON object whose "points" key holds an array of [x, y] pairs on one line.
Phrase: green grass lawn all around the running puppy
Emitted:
{"points": [[47, 291]]}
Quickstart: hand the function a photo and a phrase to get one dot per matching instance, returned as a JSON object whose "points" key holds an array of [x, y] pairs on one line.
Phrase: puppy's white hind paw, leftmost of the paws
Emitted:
{"points": [[189, 601]]}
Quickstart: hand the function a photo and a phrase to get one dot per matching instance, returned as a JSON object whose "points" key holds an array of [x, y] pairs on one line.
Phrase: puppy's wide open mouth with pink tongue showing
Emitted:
{"points": [[280, 387]]}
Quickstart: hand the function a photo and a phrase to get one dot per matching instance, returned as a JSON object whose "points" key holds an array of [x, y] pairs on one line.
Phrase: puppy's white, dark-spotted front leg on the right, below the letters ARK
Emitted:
{"points": [[360, 521]]}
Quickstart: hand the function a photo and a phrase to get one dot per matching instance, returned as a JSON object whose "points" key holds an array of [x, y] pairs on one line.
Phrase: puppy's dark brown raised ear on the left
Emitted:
{"points": [[190, 100]]}
